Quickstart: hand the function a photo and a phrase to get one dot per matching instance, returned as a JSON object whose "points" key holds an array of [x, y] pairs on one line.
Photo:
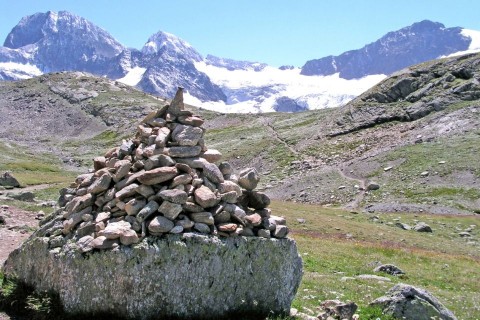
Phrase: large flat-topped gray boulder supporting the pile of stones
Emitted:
{"points": [[185, 276]]}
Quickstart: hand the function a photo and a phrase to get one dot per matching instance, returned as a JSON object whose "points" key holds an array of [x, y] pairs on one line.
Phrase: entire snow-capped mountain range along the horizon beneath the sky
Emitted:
{"points": [[47, 42]]}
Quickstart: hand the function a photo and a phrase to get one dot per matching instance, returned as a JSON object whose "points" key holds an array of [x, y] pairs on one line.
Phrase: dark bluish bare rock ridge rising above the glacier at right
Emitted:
{"points": [[422, 41]]}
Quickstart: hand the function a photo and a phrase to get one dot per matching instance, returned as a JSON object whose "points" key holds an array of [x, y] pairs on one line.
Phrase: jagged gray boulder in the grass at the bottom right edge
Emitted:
{"points": [[407, 302]]}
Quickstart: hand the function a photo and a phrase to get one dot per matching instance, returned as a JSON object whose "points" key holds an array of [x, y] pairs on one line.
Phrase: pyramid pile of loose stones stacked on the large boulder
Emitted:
{"points": [[163, 181]]}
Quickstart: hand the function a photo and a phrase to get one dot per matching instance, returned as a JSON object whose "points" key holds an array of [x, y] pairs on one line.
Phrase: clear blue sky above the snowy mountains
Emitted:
{"points": [[278, 32]]}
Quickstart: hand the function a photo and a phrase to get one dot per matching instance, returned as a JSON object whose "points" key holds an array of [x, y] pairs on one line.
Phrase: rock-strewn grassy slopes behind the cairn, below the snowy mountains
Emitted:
{"points": [[415, 135]]}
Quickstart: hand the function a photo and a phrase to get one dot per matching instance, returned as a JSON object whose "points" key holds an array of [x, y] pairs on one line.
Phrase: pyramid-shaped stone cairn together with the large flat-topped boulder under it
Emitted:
{"points": [[155, 210]]}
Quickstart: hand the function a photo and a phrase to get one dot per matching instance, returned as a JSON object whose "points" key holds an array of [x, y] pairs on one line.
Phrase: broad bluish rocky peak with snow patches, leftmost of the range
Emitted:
{"points": [[62, 41]]}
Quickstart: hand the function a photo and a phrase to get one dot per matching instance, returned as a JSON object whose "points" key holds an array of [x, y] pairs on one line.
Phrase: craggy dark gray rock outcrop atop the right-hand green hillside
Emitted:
{"points": [[413, 94]]}
